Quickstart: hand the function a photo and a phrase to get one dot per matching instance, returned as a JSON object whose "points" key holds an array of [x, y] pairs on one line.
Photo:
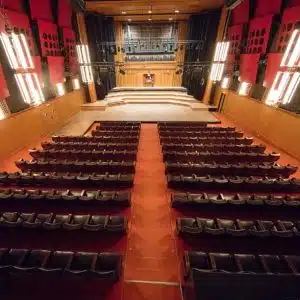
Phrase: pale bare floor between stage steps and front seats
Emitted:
{"points": [[80, 122]]}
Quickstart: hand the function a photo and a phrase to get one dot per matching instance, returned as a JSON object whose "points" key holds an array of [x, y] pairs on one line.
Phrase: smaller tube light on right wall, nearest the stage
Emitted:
{"points": [[220, 57]]}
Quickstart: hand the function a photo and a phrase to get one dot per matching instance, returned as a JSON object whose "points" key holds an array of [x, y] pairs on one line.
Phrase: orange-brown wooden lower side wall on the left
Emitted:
{"points": [[27, 127]]}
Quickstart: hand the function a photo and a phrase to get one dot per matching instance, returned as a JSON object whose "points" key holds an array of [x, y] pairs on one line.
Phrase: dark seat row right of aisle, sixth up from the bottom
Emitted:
{"points": [[226, 157]]}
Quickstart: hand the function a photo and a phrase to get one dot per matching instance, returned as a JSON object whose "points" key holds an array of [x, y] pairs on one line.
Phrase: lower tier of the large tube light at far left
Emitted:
{"points": [[30, 88]]}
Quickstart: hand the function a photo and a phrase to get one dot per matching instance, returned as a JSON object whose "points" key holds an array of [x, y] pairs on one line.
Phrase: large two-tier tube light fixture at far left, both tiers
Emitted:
{"points": [[18, 54]]}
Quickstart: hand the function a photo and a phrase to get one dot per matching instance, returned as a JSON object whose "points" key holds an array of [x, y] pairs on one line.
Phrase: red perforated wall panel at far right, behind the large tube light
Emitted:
{"points": [[290, 17]]}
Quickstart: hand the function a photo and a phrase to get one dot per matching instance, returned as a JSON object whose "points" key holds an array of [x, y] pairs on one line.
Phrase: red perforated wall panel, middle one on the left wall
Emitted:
{"points": [[48, 35]]}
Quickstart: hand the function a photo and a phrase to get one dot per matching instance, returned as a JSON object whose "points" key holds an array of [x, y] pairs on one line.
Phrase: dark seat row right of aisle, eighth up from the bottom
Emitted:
{"points": [[205, 140]]}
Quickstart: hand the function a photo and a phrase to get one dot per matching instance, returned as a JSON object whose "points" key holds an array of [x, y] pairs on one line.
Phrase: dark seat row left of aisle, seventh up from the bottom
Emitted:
{"points": [[89, 146]]}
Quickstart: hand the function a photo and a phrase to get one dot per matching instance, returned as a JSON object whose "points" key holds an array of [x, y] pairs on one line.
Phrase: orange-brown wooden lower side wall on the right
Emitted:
{"points": [[279, 127]]}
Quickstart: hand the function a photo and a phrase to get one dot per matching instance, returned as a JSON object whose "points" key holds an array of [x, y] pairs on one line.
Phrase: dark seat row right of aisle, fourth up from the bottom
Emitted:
{"points": [[253, 184]]}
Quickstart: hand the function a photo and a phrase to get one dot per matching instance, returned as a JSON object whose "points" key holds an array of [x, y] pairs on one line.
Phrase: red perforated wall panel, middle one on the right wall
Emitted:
{"points": [[259, 34]]}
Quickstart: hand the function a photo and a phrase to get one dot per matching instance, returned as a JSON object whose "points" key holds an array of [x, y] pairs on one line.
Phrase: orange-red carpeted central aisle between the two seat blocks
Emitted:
{"points": [[151, 262]]}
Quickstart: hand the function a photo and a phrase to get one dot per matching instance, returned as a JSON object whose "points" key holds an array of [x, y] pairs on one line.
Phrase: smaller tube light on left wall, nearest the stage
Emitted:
{"points": [[84, 60]]}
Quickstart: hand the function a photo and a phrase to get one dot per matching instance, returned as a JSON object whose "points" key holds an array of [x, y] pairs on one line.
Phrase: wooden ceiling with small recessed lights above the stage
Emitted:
{"points": [[138, 10]]}
